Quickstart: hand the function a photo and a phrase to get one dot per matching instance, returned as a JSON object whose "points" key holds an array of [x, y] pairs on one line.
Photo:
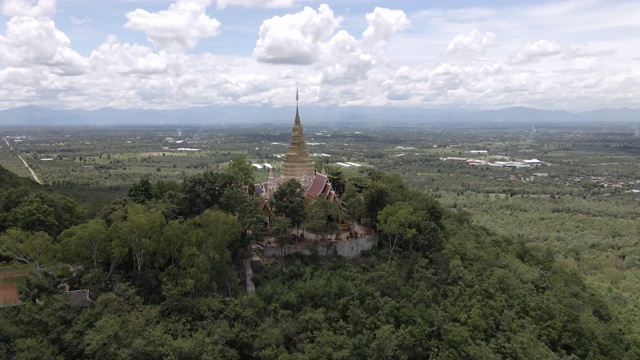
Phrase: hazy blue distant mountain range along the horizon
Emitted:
{"points": [[311, 115]]}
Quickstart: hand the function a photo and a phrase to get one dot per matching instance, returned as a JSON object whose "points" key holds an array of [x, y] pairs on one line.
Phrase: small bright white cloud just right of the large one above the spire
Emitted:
{"points": [[382, 24]]}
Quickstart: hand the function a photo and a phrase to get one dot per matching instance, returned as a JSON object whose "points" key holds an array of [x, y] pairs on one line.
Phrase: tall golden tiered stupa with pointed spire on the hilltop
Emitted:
{"points": [[297, 163]]}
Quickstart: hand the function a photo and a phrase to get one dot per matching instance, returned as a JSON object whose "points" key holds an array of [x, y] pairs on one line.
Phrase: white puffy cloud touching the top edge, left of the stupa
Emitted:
{"points": [[179, 27]]}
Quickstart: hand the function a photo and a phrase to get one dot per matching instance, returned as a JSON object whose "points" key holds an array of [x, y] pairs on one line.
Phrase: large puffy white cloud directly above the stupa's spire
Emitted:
{"points": [[295, 38]]}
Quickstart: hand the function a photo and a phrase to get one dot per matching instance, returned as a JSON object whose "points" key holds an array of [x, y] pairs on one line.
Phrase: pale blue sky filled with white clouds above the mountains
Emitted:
{"points": [[162, 54]]}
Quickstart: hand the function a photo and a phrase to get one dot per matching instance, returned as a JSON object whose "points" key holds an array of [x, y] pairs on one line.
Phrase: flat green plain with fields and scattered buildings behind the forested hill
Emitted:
{"points": [[579, 200]]}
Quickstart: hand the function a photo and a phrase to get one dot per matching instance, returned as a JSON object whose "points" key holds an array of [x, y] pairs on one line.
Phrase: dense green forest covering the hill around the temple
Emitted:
{"points": [[162, 268]]}
